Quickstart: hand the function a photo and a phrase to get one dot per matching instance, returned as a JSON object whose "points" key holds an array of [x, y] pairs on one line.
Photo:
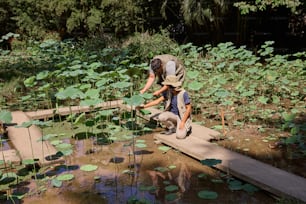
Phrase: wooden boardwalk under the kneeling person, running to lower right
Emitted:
{"points": [[262, 175]]}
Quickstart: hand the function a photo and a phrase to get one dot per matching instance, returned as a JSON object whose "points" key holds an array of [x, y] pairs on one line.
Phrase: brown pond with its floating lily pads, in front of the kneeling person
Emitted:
{"points": [[142, 171]]}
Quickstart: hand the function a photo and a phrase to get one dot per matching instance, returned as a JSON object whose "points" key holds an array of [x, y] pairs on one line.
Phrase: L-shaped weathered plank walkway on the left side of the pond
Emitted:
{"points": [[25, 140]]}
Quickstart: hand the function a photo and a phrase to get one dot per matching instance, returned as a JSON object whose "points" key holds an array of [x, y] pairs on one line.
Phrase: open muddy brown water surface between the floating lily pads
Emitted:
{"points": [[108, 184]]}
